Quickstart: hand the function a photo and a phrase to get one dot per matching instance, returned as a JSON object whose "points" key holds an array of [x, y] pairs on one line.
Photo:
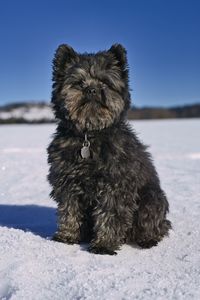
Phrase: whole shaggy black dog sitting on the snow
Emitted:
{"points": [[106, 187]]}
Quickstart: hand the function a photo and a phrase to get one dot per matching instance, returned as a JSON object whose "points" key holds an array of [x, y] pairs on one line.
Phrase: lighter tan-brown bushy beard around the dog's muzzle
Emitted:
{"points": [[92, 114]]}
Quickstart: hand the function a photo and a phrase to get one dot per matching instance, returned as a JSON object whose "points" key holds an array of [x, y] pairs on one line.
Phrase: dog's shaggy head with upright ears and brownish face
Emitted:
{"points": [[90, 90]]}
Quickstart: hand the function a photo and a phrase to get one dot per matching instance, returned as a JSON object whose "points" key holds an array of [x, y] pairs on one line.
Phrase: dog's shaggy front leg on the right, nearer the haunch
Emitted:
{"points": [[111, 219]]}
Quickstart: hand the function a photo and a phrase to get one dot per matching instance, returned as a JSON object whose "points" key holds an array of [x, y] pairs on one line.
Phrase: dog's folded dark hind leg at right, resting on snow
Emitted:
{"points": [[151, 222]]}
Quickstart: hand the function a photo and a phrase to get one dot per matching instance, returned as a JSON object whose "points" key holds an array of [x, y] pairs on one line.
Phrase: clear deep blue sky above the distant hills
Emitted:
{"points": [[162, 38]]}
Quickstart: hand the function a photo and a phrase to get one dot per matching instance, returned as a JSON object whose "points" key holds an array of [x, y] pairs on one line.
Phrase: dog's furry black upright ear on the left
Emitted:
{"points": [[64, 56]]}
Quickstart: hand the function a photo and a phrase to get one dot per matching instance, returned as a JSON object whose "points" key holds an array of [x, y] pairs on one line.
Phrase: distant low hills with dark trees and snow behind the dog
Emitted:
{"points": [[41, 112]]}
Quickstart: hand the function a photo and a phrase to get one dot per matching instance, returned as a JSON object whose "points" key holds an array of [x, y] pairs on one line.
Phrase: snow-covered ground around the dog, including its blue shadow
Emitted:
{"points": [[34, 267]]}
